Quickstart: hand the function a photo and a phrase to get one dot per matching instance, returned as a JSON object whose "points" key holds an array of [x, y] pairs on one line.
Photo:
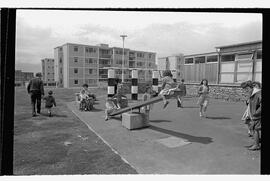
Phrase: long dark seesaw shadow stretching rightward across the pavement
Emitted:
{"points": [[190, 138]]}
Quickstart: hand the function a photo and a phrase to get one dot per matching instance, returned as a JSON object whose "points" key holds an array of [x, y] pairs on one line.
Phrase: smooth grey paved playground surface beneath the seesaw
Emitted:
{"points": [[178, 141]]}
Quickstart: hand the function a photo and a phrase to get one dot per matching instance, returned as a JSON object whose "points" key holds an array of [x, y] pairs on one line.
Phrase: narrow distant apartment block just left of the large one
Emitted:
{"points": [[48, 71]]}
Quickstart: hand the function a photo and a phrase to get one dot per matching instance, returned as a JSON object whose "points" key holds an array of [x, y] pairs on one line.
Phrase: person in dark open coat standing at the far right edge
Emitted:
{"points": [[254, 113]]}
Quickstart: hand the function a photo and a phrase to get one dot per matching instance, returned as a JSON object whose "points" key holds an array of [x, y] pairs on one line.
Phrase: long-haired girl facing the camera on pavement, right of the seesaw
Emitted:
{"points": [[204, 98]]}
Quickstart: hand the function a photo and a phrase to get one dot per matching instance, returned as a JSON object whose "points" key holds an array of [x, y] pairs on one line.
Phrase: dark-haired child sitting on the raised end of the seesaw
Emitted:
{"points": [[168, 86]]}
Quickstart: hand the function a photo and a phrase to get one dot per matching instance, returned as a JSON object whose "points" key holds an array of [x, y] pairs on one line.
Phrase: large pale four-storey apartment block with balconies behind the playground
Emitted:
{"points": [[76, 64]]}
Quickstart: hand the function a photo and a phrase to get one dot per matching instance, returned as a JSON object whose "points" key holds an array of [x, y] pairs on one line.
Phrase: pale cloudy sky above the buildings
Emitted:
{"points": [[38, 32]]}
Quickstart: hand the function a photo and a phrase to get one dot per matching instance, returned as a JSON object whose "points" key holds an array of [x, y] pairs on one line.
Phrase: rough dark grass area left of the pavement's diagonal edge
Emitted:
{"points": [[61, 144]]}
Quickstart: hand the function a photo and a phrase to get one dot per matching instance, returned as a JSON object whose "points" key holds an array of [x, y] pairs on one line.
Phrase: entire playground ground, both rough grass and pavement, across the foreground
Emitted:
{"points": [[177, 141]]}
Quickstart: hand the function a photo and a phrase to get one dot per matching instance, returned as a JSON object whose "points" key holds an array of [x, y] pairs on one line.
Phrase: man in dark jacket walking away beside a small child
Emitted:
{"points": [[36, 90]]}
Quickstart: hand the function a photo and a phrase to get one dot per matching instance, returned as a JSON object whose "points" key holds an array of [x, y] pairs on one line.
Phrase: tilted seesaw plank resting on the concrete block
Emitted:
{"points": [[174, 93]]}
